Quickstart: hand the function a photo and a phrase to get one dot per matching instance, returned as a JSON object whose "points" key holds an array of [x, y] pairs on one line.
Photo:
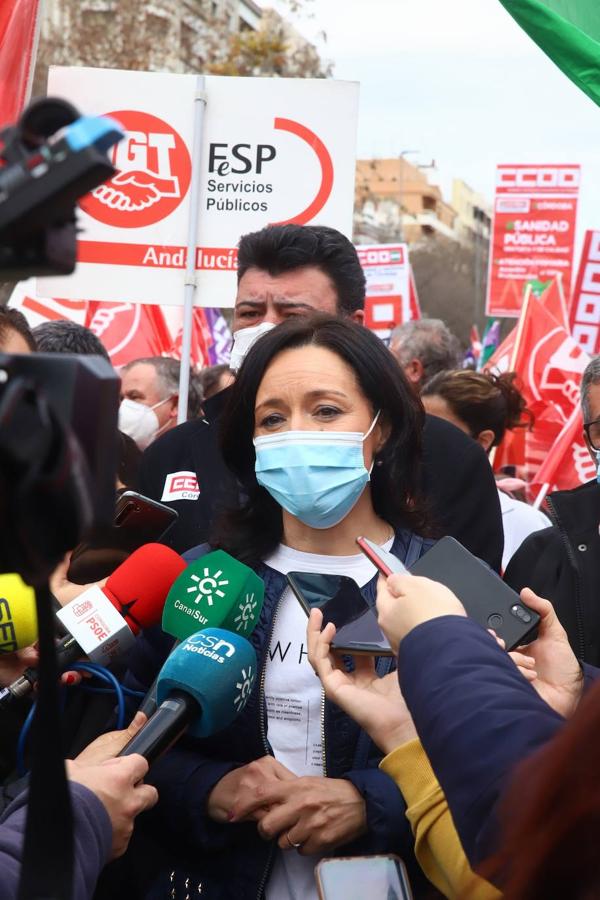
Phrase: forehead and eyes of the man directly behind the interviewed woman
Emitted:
{"points": [[274, 298]]}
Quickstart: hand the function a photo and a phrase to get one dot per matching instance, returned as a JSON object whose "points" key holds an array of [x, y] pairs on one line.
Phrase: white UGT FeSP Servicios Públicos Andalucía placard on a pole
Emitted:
{"points": [[274, 150]]}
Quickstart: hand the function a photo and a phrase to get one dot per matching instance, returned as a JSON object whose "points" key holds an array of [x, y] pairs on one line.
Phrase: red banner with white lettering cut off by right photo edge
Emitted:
{"points": [[585, 305]]}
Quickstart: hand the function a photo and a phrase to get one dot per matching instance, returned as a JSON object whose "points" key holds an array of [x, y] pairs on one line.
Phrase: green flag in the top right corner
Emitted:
{"points": [[568, 31]]}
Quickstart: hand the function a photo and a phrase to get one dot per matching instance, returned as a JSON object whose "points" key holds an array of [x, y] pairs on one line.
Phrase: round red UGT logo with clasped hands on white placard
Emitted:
{"points": [[153, 177]]}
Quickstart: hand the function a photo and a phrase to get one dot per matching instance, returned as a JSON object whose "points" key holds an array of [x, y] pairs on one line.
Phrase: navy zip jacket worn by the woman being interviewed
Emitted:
{"points": [[178, 850]]}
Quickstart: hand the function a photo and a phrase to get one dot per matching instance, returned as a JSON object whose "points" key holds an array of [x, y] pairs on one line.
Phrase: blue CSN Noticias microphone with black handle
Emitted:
{"points": [[204, 684]]}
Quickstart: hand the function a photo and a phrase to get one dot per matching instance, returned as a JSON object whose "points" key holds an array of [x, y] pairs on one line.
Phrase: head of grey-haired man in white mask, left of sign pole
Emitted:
{"points": [[150, 398]]}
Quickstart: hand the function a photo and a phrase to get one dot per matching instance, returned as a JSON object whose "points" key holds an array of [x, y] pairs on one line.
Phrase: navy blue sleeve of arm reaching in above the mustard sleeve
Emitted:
{"points": [[477, 718]]}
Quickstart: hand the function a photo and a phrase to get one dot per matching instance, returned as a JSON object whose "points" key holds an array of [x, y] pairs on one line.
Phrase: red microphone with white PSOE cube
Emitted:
{"points": [[102, 623]]}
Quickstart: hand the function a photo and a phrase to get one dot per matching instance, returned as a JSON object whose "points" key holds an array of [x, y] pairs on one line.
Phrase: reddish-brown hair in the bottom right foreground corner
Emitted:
{"points": [[551, 816]]}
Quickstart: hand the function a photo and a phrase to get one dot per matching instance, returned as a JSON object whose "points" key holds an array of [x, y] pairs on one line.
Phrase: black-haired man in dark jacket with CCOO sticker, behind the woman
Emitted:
{"points": [[287, 271]]}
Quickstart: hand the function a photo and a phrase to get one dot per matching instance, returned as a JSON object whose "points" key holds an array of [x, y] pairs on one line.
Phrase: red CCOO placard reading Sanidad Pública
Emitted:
{"points": [[533, 233]]}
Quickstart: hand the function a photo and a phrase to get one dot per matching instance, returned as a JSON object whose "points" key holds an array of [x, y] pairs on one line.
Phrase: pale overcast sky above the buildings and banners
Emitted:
{"points": [[460, 82]]}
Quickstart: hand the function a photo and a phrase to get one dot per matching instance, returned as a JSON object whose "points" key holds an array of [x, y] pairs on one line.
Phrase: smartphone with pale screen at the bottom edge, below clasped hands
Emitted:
{"points": [[359, 877]]}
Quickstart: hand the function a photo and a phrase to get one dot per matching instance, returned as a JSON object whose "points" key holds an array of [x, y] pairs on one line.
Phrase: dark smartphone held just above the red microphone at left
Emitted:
{"points": [[138, 520]]}
